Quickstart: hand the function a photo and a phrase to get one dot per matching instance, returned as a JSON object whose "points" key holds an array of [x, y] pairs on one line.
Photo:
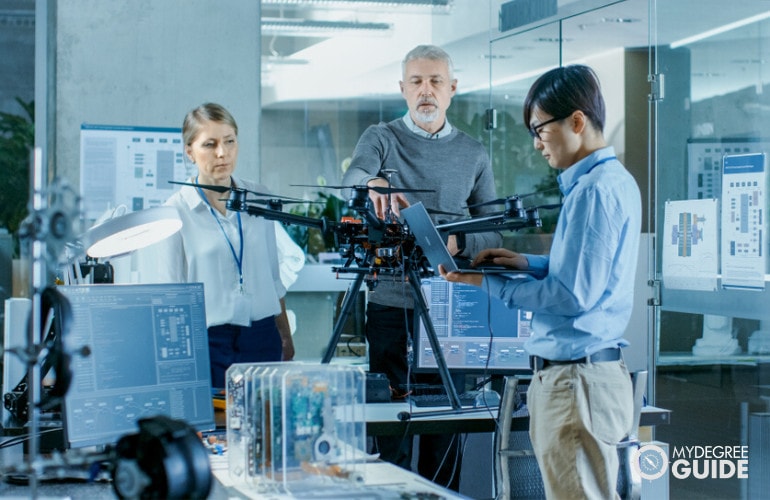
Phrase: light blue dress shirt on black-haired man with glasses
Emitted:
{"points": [[582, 293]]}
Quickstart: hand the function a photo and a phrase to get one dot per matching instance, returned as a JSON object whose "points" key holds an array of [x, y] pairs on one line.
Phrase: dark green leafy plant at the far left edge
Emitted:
{"points": [[17, 138]]}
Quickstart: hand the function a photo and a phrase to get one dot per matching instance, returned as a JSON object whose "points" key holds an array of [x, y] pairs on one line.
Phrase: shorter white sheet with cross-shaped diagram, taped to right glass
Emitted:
{"points": [[690, 249]]}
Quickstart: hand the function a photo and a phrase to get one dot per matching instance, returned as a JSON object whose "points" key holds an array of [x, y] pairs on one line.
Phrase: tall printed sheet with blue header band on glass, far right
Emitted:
{"points": [[744, 224]]}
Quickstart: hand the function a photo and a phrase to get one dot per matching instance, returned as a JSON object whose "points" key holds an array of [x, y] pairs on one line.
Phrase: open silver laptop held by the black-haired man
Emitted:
{"points": [[433, 246]]}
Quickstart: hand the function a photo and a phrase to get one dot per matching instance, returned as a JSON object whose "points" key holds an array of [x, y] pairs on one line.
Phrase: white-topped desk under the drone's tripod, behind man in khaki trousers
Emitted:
{"points": [[382, 420]]}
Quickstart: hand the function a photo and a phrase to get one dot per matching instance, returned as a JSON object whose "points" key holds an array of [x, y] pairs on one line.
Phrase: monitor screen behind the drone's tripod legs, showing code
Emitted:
{"points": [[466, 323]]}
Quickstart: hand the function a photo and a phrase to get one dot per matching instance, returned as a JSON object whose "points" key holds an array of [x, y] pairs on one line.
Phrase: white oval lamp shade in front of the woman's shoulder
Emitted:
{"points": [[131, 232]]}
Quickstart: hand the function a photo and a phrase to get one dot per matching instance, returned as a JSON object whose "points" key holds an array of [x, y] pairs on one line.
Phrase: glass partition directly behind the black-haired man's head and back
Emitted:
{"points": [[613, 40]]}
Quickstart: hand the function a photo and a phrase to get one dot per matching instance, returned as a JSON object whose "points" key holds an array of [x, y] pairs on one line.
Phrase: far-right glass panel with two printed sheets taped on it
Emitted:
{"points": [[713, 347]]}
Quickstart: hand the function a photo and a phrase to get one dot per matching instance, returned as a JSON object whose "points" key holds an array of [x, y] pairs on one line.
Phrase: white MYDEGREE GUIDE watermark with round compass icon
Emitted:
{"points": [[699, 462]]}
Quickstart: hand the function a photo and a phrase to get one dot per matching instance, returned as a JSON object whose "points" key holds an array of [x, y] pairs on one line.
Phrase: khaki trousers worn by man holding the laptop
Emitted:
{"points": [[578, 414]]}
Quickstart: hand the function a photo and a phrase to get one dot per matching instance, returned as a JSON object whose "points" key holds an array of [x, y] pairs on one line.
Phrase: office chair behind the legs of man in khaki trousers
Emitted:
{"points": [[513, 450]]}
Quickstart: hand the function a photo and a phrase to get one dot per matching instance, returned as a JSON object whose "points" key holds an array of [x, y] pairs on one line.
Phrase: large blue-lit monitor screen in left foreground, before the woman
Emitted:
{"points": [[148, 356]]}
